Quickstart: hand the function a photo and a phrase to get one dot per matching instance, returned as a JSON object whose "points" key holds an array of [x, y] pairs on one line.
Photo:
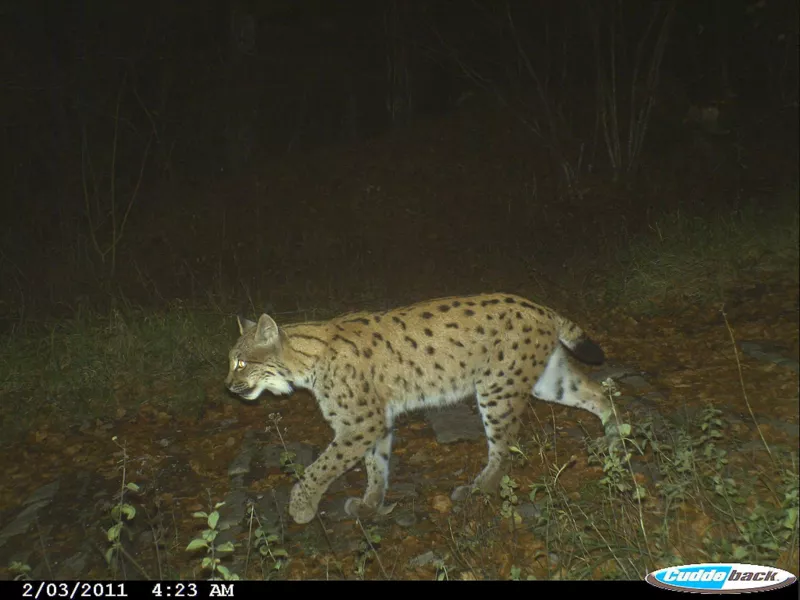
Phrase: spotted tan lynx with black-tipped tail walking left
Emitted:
{"points": [[366, 368]]}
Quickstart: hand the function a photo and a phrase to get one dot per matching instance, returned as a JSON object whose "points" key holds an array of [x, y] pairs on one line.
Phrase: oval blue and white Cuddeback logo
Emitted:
{"points": [[720, 578]]}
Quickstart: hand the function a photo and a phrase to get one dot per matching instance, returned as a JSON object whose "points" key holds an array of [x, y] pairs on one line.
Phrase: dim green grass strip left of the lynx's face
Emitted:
{"points": [[92, 366]]}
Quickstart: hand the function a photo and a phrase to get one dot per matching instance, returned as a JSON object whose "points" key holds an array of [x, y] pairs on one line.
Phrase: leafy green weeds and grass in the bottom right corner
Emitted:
{"points": [[699, 501]]}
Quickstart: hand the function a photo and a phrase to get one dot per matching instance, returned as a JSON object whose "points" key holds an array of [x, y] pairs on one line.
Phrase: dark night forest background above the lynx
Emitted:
{"points": [[156, 150]]}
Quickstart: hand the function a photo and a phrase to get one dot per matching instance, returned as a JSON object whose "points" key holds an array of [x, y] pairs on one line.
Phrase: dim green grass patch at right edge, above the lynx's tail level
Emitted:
{"points": [[685, 258]]}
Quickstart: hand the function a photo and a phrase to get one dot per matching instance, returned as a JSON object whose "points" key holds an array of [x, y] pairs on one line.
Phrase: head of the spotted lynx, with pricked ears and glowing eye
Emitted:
{"points": [[255, 360]]}
